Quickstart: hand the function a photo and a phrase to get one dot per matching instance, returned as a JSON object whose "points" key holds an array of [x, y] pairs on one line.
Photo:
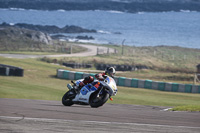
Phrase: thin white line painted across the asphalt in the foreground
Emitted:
{"points": [[97, 122]]}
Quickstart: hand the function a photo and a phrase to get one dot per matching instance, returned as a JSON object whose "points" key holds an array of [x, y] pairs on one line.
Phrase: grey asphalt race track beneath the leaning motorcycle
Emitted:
{"points": [[31, 116]]}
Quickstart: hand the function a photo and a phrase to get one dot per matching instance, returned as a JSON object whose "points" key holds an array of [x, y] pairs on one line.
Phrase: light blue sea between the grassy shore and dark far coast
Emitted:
{"points": [[118, 28]]}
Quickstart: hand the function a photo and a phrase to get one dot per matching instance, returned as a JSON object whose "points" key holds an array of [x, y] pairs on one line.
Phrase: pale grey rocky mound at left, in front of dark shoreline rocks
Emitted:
{"points": [[12, 38]]}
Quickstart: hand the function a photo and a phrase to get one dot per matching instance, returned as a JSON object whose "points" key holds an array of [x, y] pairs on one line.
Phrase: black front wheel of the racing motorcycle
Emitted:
{"points": [[97, 100]]}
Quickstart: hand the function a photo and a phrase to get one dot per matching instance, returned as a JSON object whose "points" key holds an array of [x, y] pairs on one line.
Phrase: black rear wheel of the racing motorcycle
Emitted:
{"points": [[67, 98]]}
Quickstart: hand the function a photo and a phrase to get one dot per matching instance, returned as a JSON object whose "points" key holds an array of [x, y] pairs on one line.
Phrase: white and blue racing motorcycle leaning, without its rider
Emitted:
{"points": [[94, 94]]}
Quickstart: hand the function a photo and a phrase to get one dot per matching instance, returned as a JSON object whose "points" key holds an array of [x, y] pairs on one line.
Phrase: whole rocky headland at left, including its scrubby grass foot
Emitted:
{"points": [[36, 38]]}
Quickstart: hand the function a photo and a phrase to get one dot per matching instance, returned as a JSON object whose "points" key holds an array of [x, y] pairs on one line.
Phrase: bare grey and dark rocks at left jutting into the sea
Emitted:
{"points": [[40, 33]]}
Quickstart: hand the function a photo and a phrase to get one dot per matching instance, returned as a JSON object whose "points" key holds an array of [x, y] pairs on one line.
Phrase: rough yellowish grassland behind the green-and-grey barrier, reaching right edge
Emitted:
{"points": [[166, 63]]}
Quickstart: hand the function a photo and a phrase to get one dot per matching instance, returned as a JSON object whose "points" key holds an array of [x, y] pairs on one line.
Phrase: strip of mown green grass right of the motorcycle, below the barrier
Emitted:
{"points": [[140, 96]]}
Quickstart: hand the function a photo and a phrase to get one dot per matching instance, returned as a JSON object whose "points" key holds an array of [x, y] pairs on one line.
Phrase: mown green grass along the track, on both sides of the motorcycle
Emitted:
{"points": [[39, 82]]}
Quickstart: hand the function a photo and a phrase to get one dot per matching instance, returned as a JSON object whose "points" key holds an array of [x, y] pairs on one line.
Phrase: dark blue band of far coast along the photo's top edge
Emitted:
{"points": [[131, 6]]}
